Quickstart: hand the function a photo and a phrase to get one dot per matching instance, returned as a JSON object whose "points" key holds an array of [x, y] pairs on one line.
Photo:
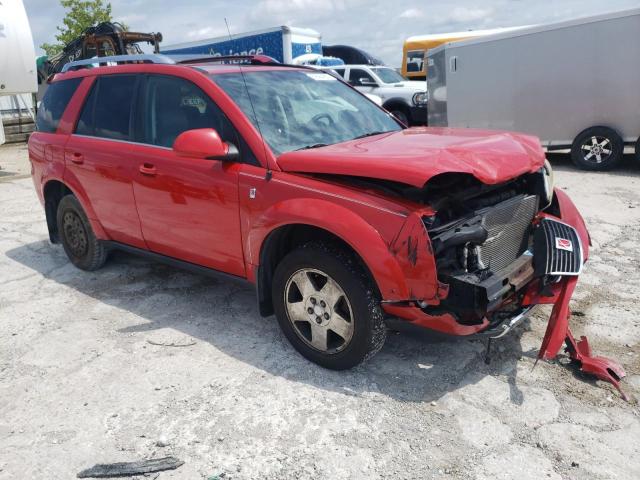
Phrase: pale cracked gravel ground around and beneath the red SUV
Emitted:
{"points": [[139, 360]]}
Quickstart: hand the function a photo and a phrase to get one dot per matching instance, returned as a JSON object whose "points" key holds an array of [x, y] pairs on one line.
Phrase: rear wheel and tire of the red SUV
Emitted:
{"points": [[80, 243]]}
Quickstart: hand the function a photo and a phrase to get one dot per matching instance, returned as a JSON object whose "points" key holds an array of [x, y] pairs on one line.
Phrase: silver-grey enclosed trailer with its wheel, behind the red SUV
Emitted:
{"points": [[574, 84]]}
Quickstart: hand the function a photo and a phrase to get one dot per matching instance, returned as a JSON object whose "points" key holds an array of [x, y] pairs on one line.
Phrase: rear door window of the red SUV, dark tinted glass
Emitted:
{"points": [[107, 110]]}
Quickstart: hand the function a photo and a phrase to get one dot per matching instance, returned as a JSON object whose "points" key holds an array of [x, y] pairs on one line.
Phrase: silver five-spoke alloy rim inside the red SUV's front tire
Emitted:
{"points": [[319, 310]]}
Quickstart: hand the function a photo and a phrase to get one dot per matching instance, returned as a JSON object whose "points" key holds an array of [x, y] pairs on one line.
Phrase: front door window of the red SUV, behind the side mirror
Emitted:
{"points": [[173, 105]]}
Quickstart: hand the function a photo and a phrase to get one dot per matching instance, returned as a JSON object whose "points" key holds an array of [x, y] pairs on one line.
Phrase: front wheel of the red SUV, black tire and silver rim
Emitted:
{"points": [[350, 315]]}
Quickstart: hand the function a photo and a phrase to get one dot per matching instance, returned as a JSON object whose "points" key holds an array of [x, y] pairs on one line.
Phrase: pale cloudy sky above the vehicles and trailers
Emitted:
{"points": [[379, 27]]}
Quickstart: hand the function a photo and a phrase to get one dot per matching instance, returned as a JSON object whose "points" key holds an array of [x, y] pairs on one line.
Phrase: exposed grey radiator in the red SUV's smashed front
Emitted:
{"points": [[507, 224]]}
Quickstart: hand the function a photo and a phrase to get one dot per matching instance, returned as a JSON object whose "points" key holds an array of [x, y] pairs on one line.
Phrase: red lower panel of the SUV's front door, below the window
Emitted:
{"points": [[188, 207]]}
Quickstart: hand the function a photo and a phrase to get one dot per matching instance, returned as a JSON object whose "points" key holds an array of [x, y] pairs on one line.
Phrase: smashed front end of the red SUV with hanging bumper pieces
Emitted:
{"points": [[499, 251]]}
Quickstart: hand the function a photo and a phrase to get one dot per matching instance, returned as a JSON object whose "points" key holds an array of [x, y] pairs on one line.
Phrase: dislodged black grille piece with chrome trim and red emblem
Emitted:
{"points": [[557, 249]]}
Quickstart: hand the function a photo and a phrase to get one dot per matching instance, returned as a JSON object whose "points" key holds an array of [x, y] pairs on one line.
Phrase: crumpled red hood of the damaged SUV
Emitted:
{"points": [[415, 155]]}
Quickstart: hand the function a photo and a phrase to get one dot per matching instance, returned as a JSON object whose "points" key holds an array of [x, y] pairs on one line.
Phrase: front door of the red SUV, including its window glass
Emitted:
{"points": [[188, 207]]}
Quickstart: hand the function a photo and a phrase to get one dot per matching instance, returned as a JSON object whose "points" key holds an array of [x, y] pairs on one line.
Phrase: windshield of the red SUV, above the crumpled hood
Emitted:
{"points": [[297, 109]]}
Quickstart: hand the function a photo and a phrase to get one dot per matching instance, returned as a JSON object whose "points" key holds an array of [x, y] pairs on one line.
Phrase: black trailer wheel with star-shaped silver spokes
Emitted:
{"points": [[597, 148]]}
